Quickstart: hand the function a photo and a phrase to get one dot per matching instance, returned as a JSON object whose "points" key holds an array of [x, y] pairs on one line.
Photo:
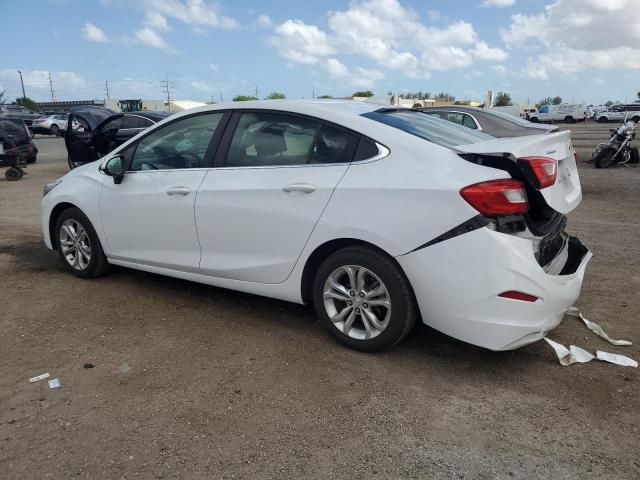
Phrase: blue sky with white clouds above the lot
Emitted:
{"points": [[582, 50]]}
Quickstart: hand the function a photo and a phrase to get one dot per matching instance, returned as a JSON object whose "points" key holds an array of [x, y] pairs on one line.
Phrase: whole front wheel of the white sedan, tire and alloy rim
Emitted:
{"points": [[73, 221]]}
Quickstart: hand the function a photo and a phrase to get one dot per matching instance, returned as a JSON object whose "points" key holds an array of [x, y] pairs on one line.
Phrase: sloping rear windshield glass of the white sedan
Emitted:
{"points": [[433, 129]]}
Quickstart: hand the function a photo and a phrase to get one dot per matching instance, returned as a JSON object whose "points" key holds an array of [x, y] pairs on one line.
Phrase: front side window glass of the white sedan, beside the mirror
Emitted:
{"points": [[178, 145]]}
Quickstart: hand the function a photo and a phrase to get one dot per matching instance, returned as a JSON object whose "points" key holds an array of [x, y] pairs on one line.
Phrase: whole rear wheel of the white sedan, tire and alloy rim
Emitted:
{"points": [[378, 271]]}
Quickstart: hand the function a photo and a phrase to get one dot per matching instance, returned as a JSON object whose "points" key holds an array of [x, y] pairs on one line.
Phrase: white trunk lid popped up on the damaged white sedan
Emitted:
{"points": [[566, 193]]}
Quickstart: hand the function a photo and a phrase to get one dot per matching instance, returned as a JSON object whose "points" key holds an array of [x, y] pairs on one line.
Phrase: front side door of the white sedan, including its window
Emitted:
{"points": [[149, 217]]}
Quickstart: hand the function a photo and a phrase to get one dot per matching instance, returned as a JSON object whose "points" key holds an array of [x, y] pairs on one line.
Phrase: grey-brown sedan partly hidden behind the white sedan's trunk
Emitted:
{"points": [[496, 124]]}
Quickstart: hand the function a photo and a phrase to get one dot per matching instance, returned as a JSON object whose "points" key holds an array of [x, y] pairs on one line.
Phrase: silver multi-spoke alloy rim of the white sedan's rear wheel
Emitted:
{"points": [[357, 302]]}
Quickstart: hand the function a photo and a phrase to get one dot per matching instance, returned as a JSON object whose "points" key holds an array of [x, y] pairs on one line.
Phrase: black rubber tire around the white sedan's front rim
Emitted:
{"points": [[97, 264]]}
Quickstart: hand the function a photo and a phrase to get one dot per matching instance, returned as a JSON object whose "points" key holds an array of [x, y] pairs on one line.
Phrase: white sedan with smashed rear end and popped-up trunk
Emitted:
{"points": [[378, 216]]}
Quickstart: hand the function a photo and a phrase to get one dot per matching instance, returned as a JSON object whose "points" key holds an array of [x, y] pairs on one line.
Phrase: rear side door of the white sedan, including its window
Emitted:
{"points": [[274, 177]]}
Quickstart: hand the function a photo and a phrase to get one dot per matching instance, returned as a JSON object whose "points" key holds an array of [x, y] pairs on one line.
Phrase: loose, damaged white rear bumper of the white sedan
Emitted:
{"points": [[457, 283]]}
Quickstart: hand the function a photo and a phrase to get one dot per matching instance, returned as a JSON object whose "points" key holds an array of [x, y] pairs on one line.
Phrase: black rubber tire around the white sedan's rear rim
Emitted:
{"points": [[403, 305]]}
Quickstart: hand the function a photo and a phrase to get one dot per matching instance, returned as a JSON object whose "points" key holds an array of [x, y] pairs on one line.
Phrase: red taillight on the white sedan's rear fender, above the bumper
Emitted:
{"points": [[497, 197]]}
